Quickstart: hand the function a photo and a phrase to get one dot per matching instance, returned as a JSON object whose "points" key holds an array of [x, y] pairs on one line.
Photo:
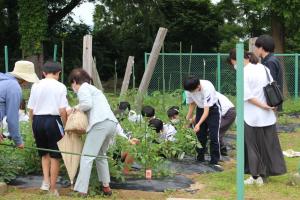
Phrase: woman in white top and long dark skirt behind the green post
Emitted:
{"points": [[263, 154]]}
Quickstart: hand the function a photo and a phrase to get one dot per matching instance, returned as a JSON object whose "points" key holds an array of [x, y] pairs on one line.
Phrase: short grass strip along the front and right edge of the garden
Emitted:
{"points": [[210, 186]]}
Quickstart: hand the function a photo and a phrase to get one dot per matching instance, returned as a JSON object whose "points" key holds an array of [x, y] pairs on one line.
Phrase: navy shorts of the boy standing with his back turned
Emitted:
{"points": [[47, 132]]}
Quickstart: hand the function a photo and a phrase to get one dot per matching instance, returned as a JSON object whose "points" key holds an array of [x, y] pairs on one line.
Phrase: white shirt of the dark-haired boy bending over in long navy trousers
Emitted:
{"points": [[206, 97]]}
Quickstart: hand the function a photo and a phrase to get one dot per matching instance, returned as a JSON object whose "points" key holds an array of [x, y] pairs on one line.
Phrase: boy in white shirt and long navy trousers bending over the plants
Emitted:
{"points": [[202, 93]]}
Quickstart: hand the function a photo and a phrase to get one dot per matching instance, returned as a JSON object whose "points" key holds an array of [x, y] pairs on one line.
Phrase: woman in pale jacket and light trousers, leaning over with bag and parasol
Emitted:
{"points": [[100, 131]]}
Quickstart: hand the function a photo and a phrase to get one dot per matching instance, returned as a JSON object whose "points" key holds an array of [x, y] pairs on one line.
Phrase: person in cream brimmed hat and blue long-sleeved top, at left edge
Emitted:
{"points": [[11, 95]]}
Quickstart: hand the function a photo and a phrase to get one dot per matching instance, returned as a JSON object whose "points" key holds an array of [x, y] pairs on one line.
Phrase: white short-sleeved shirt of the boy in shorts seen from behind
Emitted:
{"points": [[47, 97]]}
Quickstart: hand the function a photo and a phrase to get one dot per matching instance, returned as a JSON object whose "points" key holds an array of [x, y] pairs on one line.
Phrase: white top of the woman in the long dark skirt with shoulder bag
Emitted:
{"points": [[255, 78]]}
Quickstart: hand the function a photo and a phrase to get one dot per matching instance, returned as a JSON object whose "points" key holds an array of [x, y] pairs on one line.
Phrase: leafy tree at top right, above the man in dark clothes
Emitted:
{"points": [[275, 15]]}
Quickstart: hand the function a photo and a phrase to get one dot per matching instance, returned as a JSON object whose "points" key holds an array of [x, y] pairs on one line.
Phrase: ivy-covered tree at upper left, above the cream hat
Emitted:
{"points": [[38, 20]]}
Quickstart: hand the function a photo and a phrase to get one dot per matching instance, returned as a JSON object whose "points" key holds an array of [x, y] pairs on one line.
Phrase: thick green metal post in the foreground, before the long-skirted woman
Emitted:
{"points": [[240, 121]]}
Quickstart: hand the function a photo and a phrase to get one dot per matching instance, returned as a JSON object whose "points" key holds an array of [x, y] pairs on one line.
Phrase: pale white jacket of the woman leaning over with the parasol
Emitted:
{"points": [[93, 102]]}
